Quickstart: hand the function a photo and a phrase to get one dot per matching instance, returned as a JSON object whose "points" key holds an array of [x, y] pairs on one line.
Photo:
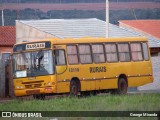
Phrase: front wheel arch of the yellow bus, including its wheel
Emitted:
{"points": [[75, 86]]}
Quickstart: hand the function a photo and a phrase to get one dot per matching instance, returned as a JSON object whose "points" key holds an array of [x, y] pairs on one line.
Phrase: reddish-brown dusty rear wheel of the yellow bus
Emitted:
{"points": [[122, 86]]}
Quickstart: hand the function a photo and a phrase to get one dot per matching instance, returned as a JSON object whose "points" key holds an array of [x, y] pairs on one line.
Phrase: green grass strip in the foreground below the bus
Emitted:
{"points": [[138, 102]]}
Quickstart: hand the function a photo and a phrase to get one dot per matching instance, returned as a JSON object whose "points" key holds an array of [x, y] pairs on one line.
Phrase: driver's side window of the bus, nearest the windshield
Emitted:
{"points": [[60, 57]]}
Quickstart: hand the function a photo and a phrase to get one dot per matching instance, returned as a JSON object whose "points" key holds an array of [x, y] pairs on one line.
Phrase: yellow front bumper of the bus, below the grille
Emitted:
{"points": [[24, 92]]}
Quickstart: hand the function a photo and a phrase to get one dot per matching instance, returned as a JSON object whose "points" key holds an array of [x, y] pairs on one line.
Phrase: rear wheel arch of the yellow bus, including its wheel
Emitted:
{"points": [[122, 84]]}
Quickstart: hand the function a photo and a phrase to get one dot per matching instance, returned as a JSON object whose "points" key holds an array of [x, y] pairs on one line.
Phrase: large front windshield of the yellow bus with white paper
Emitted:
{"points": [[35, 63]]}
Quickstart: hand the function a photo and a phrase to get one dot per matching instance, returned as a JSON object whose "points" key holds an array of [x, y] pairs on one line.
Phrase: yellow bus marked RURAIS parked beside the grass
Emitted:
{"points": [[74, 66]]}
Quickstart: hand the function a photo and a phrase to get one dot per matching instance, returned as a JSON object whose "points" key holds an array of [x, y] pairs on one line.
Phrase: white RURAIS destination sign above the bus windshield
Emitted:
{"points": [[35, 46]]}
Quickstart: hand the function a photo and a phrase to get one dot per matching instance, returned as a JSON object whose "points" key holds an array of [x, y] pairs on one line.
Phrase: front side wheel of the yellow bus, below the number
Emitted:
{"points": [[73, 88]]}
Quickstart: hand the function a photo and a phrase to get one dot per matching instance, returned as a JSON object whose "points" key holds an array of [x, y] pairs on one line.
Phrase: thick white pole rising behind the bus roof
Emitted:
{"points": [[107, 18]]}
